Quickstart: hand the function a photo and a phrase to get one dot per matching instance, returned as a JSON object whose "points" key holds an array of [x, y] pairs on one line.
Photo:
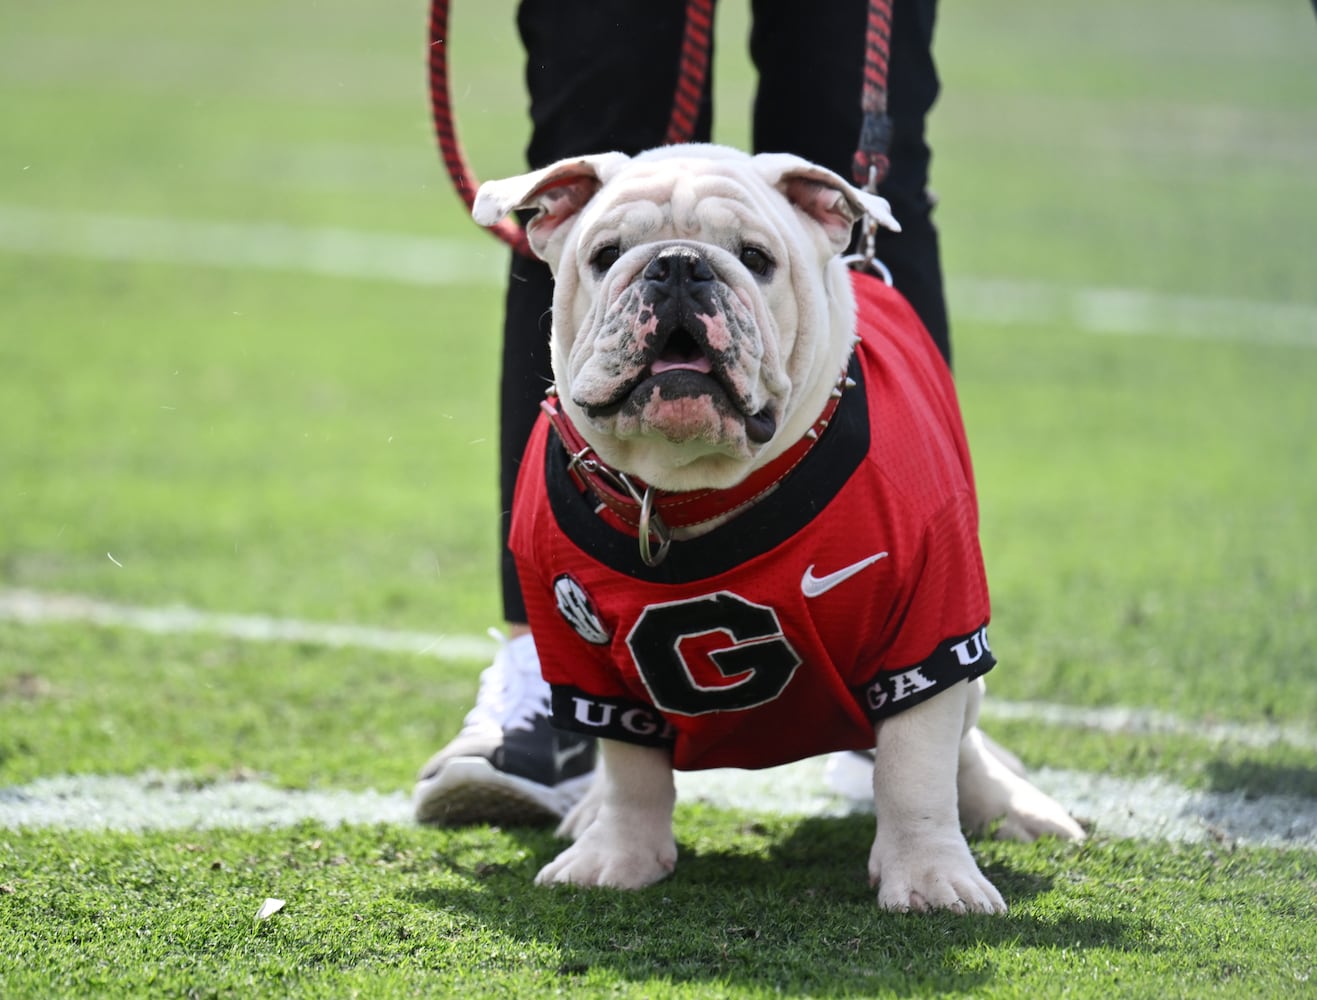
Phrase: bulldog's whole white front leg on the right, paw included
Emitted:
{"points": [[920, 858]]}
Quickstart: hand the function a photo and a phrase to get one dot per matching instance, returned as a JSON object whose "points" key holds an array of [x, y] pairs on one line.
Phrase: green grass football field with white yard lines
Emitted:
{"points": [[248, 356]]}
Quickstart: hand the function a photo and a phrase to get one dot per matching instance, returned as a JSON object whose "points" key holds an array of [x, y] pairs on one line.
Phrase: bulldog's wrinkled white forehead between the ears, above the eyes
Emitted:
{"points": [[683, 198]]}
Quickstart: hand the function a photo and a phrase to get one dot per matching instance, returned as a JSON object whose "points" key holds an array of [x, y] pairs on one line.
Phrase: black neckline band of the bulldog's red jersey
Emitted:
{"points": [[797, 501]]}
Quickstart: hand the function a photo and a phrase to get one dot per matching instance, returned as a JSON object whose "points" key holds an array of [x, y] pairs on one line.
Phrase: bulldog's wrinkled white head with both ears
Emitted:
{"points": [[701, 314]]}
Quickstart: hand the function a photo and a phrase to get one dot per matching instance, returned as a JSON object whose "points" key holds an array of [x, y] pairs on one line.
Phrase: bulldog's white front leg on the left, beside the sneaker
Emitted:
{"points": [[625, 827]]}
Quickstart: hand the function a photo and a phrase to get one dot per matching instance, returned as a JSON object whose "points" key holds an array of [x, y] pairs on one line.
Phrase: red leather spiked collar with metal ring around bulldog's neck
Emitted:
{"points": [[651, 513]]}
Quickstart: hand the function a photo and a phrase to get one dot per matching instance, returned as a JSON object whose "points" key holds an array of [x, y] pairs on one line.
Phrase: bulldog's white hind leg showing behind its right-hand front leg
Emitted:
{"points": [[994, 789]]}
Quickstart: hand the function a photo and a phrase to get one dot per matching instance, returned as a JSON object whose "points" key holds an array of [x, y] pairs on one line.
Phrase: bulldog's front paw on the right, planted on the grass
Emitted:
{"points": [[924, 878]]}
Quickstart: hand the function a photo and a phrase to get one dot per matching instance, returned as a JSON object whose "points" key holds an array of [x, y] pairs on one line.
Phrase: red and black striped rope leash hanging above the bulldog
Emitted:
{"points": [[871, 157]]}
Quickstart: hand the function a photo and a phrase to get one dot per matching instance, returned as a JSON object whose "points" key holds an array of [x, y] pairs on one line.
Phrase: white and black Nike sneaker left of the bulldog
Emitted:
{"points": [[508, 766]]}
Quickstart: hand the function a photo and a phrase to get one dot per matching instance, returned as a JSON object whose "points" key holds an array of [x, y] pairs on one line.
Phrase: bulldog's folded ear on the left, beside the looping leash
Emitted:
{"points": [[558, 193]]}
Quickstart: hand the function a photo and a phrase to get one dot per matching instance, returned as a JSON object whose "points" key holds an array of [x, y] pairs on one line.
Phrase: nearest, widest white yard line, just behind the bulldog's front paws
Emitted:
{"points": [[1127, 808]]}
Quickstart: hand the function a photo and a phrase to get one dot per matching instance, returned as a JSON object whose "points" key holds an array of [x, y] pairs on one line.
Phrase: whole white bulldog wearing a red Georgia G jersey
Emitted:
{"points": [[705, 337]]}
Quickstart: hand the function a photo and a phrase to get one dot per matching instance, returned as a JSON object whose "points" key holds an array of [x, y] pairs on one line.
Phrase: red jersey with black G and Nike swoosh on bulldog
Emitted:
{"points": [[854, 592]]}
